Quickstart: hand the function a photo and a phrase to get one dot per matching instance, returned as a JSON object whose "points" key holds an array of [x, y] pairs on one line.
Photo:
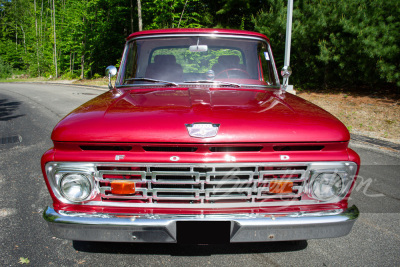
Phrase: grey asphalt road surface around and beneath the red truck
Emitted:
{"points": [[28, 112]]}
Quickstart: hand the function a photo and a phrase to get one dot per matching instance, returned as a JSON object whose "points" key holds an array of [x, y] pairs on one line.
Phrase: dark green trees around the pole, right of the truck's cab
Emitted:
{"points": [[336, 43]]}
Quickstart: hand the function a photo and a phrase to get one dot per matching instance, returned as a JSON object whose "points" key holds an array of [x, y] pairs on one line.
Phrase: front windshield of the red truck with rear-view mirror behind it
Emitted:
{"points": [[190, 59]]}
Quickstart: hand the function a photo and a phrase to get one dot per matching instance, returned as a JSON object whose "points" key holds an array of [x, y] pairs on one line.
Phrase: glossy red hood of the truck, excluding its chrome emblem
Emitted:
{"points": [[160, 115]]}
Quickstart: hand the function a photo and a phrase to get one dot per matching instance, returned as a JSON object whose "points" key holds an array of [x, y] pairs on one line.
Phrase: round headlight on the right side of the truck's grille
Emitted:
{"points": [[327, 186]]}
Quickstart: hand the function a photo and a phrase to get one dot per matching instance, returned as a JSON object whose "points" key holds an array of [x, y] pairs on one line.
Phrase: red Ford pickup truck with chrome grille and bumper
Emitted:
{"points": [[198, 139]]}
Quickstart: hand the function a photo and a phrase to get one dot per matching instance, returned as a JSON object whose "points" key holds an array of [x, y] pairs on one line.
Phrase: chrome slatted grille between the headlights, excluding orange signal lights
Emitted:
{"points": [[201, 184]]}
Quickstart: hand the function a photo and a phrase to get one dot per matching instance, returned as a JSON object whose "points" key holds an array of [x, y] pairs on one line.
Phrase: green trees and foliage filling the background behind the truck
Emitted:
{"points": [[334, 43]]}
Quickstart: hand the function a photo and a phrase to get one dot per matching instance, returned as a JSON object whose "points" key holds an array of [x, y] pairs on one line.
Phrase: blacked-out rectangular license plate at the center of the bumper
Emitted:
{"points": [[203, 232]]}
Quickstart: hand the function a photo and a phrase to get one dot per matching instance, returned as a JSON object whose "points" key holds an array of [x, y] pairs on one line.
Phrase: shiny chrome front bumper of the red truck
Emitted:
{"points": [[163, 228]]}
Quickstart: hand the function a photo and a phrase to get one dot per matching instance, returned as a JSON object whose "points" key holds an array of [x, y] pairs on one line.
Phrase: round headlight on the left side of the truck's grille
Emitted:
{"points": [[75, 187]]}
